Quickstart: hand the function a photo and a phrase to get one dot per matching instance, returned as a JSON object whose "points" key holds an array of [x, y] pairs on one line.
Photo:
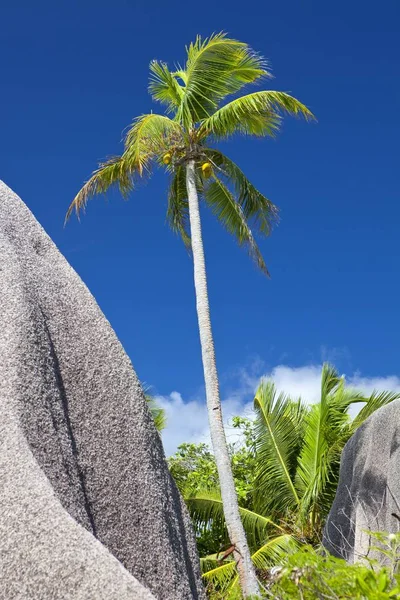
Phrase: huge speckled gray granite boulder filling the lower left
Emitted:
{"points": [[88, 509]]}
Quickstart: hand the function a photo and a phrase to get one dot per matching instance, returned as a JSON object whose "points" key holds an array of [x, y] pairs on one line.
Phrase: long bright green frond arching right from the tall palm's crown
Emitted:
{"points": [[258, 113]]}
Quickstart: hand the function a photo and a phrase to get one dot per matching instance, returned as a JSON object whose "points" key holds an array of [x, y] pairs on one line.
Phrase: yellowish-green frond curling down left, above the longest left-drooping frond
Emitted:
{"points": [[149, 137]]}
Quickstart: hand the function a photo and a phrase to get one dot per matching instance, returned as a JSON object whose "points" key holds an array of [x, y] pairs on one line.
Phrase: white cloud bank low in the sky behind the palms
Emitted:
{"points": [[187, 421]]}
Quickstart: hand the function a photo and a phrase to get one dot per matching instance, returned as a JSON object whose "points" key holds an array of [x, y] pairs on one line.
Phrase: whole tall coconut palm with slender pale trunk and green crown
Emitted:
{"points": [[197, 112]]}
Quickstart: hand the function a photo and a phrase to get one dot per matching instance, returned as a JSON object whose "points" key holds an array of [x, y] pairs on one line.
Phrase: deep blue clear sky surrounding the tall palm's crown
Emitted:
{"points": [[74, 74]]}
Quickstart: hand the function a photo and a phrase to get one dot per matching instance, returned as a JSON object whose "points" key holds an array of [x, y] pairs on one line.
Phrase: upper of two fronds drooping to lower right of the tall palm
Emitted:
{"points": [[258, 211]]}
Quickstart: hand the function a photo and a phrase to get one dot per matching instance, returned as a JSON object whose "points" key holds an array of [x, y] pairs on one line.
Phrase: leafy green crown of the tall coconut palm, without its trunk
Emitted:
{"points": [[197, 112]]}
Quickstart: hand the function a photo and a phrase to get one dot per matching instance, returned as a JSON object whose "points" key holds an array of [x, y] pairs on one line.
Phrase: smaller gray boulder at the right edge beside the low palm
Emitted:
{"points": [[368, 494]]}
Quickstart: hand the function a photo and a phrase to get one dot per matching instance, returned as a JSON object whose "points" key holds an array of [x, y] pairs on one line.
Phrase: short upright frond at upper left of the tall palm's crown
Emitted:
{"points": [[164, 86]]}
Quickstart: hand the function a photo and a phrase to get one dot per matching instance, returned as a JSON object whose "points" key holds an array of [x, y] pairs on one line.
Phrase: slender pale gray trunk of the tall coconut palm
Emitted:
{"points": [[237, 536]]}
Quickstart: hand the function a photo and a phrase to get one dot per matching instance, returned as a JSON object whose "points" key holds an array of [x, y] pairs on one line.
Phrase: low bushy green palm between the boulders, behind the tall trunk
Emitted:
{"points": [[297, 456]]}
